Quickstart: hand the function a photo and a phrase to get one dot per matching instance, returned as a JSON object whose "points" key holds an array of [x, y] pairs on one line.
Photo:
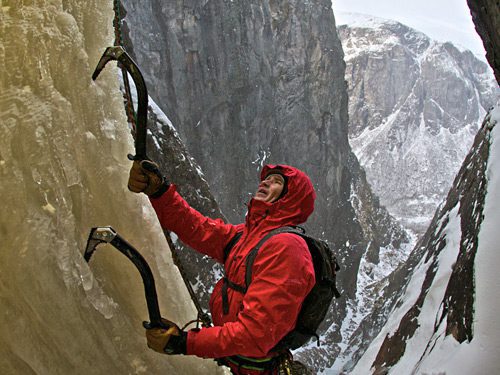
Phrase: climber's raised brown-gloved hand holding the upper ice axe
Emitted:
{"points": [[145, 177]]}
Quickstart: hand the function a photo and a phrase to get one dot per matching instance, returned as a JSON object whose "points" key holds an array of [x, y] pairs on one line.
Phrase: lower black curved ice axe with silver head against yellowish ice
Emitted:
{"points": [[99, 235]]}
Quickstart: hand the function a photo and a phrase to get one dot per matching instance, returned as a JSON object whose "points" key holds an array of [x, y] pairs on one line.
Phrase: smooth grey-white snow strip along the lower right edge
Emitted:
{"points": [[481, 354]]}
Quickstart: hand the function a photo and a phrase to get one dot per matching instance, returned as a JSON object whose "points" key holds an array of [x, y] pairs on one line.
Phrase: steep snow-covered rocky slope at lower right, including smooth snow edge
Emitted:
{"points": [[446, 319]]}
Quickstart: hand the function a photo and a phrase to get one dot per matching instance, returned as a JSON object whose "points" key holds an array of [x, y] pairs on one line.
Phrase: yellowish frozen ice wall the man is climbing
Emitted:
{"points": [[63, 169]]}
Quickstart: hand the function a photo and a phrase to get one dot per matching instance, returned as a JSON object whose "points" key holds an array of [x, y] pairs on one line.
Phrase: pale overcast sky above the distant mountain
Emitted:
{"points": [[442, 20]]}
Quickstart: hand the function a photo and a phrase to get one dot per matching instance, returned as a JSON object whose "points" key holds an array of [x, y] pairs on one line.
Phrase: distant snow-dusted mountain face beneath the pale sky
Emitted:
{"points": [[414, 108]]}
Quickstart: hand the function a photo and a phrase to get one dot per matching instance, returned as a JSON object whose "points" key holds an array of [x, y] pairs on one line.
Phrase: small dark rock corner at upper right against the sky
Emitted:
{"points": [[486, 17]]}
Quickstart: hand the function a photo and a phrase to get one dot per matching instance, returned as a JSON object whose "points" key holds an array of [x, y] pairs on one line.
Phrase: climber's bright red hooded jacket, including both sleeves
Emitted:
{"points": [[282, 275]]}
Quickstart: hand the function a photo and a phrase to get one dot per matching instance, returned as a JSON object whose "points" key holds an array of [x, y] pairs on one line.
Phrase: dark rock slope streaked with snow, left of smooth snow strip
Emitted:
{"points": [[432, 295]]}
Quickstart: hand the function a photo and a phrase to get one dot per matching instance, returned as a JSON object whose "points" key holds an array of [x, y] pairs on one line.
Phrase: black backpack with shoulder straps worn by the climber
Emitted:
{"points": [[316, 303]]}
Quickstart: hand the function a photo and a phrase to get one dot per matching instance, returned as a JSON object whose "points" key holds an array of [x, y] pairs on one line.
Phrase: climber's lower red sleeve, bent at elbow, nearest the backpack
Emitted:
{"points": [[283, 275]]}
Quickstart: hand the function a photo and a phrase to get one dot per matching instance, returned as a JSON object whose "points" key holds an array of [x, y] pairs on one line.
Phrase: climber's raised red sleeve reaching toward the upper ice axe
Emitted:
{"points": [[208, 236]]}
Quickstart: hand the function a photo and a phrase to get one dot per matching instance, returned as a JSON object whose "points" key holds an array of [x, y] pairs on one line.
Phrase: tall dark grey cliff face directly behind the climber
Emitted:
{"points": [[253, 82]]}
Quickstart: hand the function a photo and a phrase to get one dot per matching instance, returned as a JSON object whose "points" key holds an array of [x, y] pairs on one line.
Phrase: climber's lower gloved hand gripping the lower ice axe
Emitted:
{"points": [[171, 340]]}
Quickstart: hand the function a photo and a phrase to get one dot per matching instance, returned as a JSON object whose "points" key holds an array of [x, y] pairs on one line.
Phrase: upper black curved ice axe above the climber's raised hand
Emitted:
{"points": [[119, 54]]}
